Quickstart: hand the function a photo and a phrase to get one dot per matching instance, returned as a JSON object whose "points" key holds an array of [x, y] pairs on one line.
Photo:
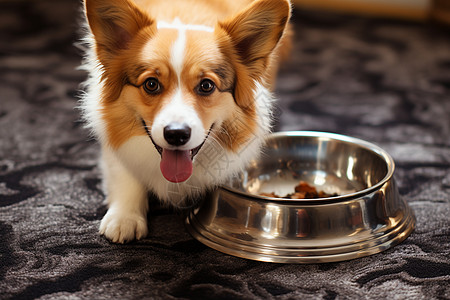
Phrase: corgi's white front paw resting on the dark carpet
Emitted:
{"points": [[122, 227]]}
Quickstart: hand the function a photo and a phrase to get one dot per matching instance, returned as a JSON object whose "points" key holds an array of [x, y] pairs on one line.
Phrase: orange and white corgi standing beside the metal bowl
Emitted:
{"points": [[178, 95]]}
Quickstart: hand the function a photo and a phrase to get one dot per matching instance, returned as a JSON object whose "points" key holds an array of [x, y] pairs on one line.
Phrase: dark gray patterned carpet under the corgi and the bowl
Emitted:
{"points": [[384, 81]]}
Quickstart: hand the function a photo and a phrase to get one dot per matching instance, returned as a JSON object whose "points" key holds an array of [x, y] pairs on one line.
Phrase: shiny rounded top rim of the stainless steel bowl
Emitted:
{"points": [[331, 136]]}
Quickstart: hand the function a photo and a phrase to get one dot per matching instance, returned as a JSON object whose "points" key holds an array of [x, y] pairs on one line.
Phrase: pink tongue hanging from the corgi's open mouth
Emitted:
{"points": [[176, 165]]}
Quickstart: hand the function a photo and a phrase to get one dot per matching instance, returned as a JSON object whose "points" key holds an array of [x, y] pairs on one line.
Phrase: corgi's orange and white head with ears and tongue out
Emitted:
{"points": [[179, 81]]}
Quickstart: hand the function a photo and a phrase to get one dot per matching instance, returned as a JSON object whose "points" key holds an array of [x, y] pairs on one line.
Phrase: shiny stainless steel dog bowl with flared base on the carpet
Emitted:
{"points": [[367, 217]]}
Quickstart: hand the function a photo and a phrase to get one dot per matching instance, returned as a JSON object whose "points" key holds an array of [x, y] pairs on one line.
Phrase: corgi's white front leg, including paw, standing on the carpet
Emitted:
{"points": [[126, 218]]}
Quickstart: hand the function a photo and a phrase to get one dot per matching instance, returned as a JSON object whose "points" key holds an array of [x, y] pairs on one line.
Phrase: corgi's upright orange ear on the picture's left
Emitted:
{"points": [[114, 23]]}
